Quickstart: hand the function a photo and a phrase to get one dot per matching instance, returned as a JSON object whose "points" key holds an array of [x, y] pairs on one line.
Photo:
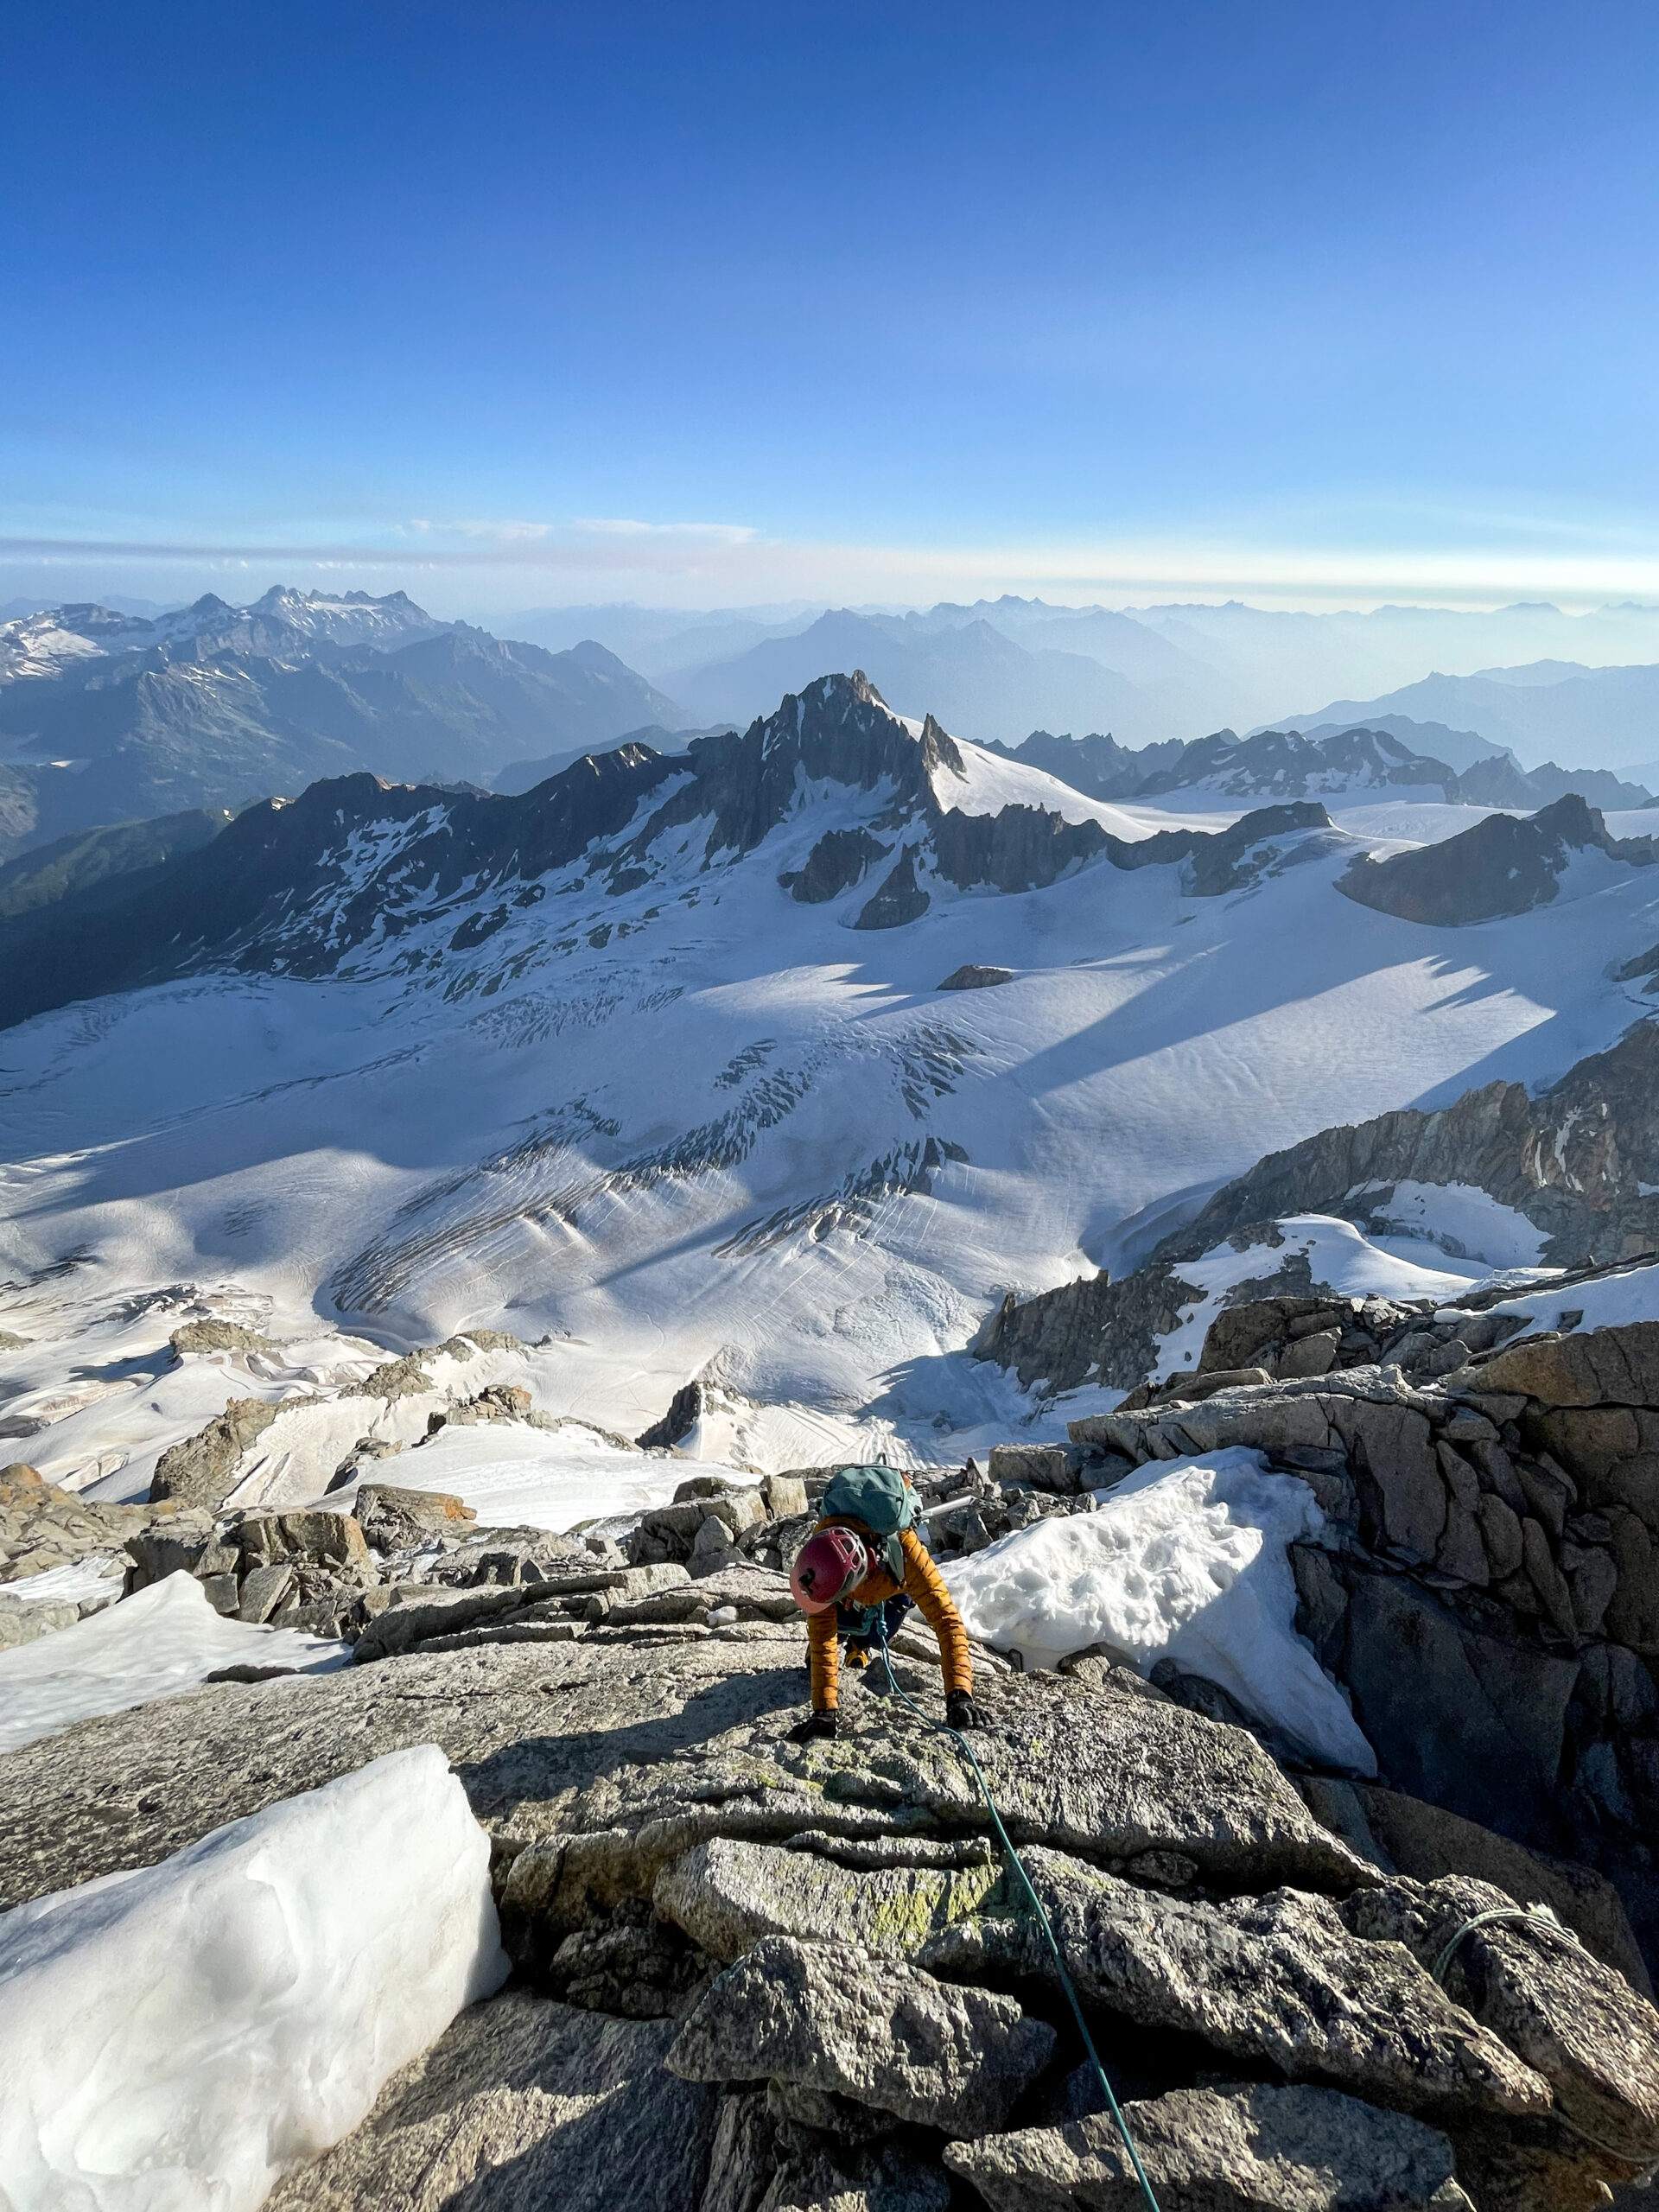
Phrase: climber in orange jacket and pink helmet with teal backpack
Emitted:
{"points": [[857, 1576]]}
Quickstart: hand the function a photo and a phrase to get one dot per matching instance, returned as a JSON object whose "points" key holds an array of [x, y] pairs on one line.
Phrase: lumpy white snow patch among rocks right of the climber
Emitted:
{"points": [[1182, 1561]]}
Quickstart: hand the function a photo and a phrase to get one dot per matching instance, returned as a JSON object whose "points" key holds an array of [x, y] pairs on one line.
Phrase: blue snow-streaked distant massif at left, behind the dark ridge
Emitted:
{"points": [[114, 718]]}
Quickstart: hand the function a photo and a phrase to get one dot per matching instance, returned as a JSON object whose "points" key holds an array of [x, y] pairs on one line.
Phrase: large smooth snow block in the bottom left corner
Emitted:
{"points": [[176, 2038]]}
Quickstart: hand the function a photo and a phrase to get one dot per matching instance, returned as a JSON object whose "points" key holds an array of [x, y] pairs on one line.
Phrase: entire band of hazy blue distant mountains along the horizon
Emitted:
{"points": [[118, 713]]}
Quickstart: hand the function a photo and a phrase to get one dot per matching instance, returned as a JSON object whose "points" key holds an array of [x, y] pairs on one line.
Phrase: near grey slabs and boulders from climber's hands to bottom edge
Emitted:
{"points": [[654, 1828]]}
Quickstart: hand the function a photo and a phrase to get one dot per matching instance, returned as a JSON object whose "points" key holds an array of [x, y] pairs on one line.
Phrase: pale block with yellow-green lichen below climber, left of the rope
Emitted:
{"points": [[731, 1895]]}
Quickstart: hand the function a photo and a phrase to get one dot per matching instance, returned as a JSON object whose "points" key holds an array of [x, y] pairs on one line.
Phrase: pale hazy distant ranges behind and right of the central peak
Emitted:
{"points": [[1158, 674]]}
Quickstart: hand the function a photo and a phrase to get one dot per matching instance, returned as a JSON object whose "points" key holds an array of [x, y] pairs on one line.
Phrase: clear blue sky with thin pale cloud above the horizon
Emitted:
{"points": [[727, 304]]}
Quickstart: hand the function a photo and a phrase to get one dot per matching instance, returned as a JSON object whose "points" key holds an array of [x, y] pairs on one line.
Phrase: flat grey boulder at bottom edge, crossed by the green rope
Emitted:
{"points": [[1249, 2149]]}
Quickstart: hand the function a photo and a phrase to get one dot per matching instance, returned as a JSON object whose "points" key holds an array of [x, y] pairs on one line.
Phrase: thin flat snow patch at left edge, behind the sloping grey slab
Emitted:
{"points": [[154, 1645]]}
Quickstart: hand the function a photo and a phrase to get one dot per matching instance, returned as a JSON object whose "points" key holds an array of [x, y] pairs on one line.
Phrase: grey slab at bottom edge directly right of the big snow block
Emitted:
{"points": [[519, 2107]]}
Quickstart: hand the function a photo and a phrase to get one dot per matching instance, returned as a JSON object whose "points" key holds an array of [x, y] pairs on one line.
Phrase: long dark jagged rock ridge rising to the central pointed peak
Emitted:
{"points": [[304, 886]]}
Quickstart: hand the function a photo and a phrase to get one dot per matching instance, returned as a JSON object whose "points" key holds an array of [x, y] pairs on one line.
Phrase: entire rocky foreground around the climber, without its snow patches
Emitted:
{"points": [[758, 1976]]}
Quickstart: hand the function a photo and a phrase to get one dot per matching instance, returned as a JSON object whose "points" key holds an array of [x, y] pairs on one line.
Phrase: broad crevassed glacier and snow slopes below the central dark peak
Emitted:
{"points": [[680, 1123]]}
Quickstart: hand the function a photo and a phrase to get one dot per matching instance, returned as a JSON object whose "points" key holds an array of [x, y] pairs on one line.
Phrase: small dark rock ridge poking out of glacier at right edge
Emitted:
{"points": [[1499, 868]]}
